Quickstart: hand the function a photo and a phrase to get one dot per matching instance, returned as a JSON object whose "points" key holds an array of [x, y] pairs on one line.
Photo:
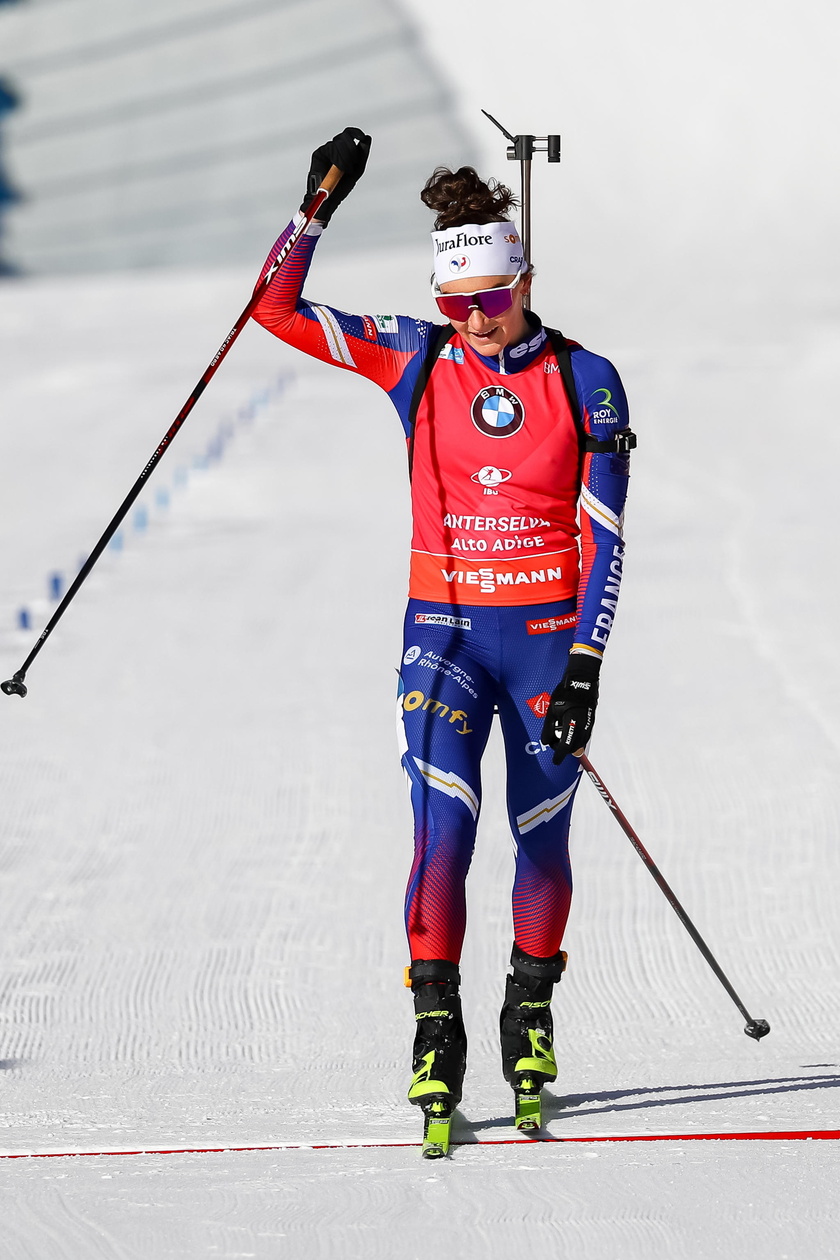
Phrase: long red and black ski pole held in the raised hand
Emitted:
{"points": [[14, 686]]}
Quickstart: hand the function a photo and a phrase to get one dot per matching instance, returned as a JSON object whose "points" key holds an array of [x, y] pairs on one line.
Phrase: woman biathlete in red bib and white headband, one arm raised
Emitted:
{"points": [[509, 427]]}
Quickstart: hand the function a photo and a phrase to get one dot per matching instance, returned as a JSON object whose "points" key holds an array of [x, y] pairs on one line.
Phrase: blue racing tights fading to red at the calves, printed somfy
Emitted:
{"points": [[460, 666]]}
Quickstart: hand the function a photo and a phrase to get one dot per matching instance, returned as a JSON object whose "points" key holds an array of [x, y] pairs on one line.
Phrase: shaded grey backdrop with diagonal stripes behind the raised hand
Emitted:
{"points": [[152, 134]]}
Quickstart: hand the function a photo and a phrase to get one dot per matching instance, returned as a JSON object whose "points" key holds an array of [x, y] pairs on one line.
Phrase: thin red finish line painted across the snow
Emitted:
{"points": [[363, 1145]]}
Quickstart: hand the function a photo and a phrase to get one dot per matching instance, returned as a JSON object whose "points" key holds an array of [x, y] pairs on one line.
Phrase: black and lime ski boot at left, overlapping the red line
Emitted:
{"points": [[440, 1051]]}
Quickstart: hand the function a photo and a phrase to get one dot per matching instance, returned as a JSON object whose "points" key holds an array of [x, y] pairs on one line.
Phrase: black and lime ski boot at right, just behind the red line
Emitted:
{"points": [[527, 1033]]}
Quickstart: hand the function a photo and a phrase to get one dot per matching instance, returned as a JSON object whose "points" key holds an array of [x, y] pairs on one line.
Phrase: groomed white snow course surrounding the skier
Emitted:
{"points": [[206, 835]]}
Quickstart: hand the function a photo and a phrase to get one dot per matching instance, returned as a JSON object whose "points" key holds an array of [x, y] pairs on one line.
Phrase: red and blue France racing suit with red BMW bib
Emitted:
{"points": [[504, 581]]}
